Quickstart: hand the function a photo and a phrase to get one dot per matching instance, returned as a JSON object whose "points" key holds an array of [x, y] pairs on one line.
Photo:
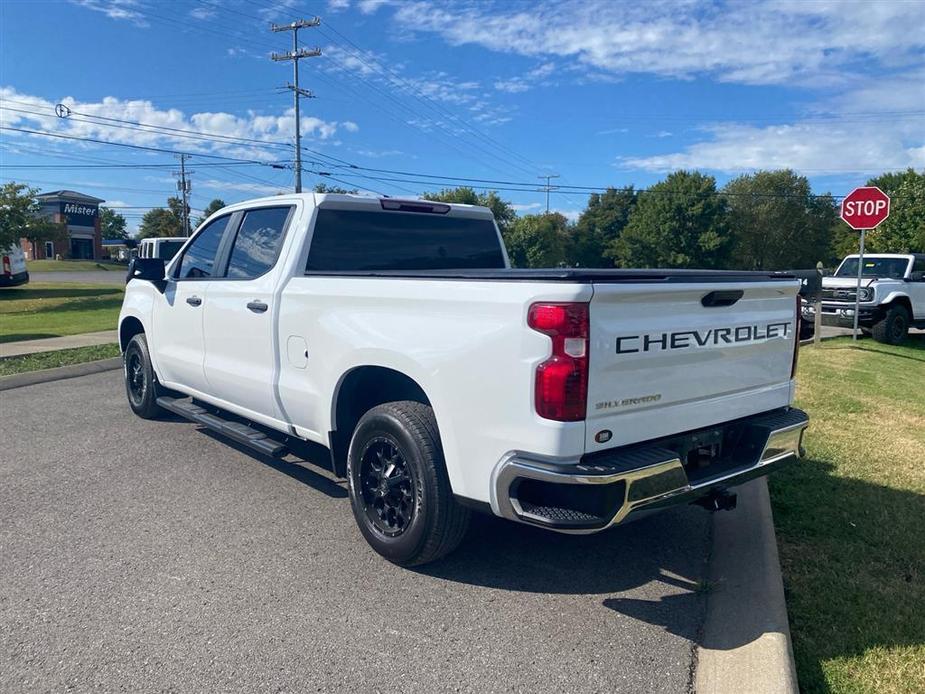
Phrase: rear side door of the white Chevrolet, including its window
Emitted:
{"points": [[241, 362]]}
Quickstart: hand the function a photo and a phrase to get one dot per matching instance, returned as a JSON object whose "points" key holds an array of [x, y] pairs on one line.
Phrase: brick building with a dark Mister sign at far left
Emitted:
{"points": [[81, 214]]}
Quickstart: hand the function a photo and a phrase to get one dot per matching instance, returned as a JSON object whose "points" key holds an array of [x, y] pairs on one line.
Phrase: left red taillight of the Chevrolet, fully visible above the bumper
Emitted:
{"points": [[561, 388]]}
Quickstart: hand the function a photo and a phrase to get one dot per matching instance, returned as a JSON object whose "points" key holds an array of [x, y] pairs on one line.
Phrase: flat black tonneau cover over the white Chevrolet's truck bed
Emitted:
{"points": [[581, 275]]}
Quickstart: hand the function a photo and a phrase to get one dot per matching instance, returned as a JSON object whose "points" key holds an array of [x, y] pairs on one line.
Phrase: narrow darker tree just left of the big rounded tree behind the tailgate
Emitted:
{"points": [[594, 237]]}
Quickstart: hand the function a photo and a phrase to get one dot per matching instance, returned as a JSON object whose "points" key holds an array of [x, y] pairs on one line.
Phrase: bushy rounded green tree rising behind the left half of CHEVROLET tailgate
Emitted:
{"points": [[678, 222]]}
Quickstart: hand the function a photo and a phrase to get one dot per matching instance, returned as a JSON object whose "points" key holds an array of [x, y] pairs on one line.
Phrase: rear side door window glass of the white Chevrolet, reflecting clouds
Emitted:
{"points": [[258, 241]]}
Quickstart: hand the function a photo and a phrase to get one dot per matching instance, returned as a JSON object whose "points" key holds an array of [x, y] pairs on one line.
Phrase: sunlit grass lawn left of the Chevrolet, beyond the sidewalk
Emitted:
{"points": [[38, 310]]}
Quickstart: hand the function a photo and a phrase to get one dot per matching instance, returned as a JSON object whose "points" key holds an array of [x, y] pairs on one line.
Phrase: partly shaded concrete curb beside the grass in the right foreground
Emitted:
{"points": [[746, 639]]}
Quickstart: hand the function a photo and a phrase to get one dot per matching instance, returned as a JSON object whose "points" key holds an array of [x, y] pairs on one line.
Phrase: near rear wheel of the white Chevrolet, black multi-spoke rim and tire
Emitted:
{"points": [[399, 488]]}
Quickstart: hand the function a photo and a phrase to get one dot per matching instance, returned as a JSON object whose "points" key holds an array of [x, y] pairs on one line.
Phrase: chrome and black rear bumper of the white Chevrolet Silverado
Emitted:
{"points": [[608, 488]]}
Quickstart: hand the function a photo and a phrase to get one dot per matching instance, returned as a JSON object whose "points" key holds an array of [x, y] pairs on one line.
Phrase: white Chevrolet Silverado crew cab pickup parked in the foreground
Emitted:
{"points": [[394, 333]]}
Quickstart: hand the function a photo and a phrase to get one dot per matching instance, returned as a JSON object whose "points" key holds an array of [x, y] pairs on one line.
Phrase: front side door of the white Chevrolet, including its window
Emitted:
{"points": [[177, 336]]}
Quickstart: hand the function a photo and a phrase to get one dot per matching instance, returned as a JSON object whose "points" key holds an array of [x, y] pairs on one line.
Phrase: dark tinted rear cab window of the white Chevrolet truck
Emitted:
{"points": [[363, 240]]}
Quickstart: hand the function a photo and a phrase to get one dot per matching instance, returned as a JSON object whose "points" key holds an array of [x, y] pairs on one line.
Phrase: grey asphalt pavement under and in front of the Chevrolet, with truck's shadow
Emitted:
{"points": [[152, 556]]}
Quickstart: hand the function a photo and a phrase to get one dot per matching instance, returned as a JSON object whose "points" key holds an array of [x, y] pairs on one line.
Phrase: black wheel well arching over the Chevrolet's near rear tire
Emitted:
{"points": [[361, 390]]}
